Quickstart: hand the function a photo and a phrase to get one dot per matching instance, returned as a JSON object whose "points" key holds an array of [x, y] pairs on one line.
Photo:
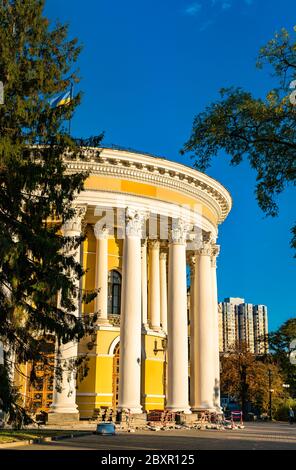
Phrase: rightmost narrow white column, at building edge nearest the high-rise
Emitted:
{"points": [[215, 328]]}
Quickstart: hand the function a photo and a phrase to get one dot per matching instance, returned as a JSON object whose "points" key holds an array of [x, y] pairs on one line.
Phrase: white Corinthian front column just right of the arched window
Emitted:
{"points": [[130, 324]]}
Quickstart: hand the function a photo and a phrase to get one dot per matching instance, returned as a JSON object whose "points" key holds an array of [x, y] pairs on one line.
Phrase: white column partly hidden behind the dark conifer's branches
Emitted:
{"points": [[64, 396]]}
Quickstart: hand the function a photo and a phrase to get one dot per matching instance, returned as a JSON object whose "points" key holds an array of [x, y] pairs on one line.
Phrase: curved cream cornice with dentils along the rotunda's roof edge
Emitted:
{"points": [[153, 170]]}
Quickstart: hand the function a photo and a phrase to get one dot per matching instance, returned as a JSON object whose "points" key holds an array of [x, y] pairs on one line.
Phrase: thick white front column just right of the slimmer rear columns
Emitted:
{"points": [[177, 399]]}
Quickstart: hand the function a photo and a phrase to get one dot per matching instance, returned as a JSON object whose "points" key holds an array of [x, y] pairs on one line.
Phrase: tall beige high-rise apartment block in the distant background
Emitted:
{"points": [[243, 323]]}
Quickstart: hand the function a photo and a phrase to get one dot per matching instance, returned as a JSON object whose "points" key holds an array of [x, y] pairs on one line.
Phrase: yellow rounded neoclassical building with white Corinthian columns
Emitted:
{"points": [[150, 223]]}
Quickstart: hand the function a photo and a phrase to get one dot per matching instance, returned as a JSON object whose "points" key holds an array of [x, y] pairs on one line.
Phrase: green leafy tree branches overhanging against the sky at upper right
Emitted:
{"points": [[263, 130]]}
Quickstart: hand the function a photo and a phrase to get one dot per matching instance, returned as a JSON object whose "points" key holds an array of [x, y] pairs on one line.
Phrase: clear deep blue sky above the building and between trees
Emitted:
{"points": [[147, 68]]}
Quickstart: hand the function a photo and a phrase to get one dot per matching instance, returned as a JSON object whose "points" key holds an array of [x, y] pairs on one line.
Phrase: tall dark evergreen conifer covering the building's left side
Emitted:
{"points": [[36, 64]]}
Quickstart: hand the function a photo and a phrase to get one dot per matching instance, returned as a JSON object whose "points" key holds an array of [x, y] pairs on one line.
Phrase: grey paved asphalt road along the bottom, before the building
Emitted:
{"points": [[267, 436]]}
